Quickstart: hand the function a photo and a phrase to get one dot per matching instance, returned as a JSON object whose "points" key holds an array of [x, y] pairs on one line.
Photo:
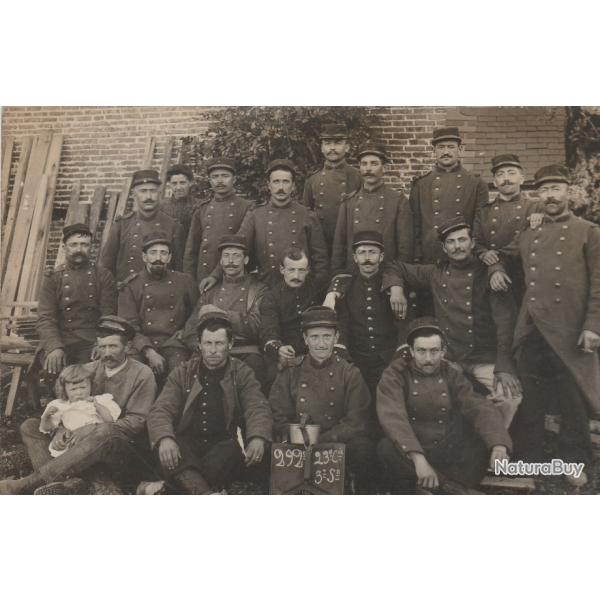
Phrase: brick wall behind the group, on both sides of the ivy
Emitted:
{"points": [[104, 144]]}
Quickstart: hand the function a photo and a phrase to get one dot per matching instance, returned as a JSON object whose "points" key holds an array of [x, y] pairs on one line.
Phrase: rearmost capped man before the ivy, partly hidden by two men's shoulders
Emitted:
{"points": [[324, 189]]}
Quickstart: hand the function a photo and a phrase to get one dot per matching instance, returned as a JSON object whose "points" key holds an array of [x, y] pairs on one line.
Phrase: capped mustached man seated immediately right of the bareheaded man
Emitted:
{"points": [[368, 327]]}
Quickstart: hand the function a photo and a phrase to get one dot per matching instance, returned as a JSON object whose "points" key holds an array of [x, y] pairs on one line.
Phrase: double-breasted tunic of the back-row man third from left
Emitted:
{"points": [[214, 218]]}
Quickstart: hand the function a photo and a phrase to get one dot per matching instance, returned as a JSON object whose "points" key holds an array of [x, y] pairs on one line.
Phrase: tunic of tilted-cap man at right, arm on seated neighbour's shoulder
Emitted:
{"points": [[478, 323]]}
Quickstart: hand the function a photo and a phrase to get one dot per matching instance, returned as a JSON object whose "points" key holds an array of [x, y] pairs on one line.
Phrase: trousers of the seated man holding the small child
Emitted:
{"points": [[114, 449]]}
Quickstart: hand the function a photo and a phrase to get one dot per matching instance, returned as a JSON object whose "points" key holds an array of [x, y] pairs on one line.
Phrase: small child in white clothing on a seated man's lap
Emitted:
{"points": [[75, 407]]}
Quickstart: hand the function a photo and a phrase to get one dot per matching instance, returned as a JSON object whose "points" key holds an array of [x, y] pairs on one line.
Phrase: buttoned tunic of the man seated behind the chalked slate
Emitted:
{"points": [[332, 394]]}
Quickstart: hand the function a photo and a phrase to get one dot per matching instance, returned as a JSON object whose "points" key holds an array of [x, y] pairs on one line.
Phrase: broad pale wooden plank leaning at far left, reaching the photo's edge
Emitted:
{"points": [[17, 250]]}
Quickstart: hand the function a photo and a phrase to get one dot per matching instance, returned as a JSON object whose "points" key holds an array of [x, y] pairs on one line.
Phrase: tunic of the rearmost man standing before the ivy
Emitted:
{"points": [[323, 193]]}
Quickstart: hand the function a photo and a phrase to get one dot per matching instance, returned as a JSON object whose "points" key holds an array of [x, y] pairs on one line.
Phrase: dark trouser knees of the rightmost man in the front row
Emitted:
{"points": [[464, 463]]}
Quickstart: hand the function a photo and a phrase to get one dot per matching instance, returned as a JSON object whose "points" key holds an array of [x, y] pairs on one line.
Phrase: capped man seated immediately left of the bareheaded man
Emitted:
{"points": [[239, 295]]}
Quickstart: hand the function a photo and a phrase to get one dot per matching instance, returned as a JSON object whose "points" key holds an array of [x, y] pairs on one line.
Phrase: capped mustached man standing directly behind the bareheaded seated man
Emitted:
{"points": [[271, 228]]}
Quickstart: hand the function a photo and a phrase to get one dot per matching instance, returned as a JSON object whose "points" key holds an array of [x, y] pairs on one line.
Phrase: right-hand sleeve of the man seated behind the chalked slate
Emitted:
{"points": [[358, 401]]}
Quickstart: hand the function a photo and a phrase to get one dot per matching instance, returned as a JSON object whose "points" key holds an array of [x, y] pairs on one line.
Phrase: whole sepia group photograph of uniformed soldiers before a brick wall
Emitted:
{"points": [[314, 300]]}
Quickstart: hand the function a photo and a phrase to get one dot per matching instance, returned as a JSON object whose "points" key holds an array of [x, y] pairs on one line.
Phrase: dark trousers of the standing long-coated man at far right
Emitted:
{"points": [[539, 365]]}
